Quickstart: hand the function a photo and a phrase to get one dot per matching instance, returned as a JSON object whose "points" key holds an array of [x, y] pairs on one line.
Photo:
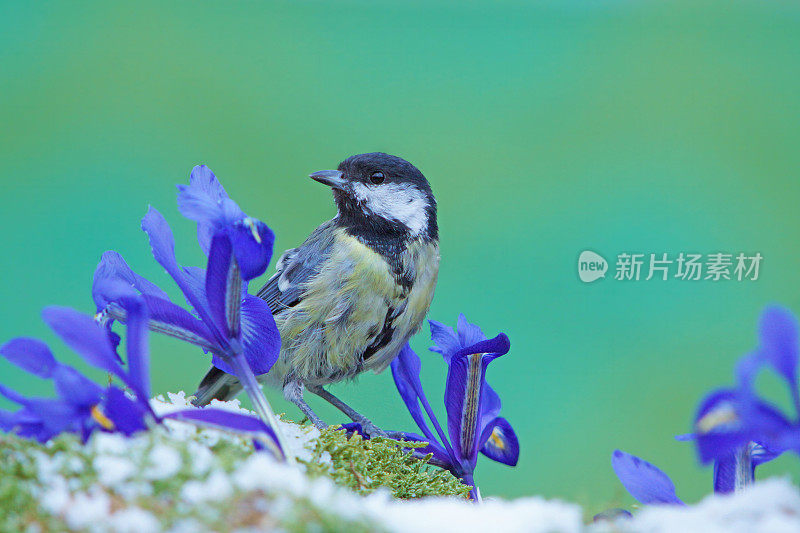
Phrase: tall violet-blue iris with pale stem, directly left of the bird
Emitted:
{"points": [[235, 327]]}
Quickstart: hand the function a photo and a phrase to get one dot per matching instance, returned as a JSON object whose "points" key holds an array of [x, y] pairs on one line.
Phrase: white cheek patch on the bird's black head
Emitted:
{"points": [[394, 201]]}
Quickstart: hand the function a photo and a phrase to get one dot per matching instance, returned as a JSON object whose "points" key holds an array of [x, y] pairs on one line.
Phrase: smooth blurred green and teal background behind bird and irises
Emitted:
{"points": [[545, 130]]}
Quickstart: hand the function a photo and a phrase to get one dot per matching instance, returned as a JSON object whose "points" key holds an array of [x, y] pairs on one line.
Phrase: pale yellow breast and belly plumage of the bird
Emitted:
{"points": [[345, 307]]}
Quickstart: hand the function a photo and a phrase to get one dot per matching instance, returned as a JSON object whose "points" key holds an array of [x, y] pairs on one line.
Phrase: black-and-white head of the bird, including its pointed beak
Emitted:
{"points": [[382, 193]]}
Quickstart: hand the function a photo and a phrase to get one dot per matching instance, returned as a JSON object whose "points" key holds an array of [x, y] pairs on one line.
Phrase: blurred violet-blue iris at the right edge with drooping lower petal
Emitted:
{"points": [[734, 428]]}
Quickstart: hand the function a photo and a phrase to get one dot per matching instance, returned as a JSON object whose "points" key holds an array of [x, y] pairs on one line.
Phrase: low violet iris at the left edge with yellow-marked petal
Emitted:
{"points": [[82, 406]]}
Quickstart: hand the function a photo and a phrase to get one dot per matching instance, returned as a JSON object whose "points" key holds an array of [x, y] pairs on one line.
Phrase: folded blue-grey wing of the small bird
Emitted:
{"points": [[295, 267]]}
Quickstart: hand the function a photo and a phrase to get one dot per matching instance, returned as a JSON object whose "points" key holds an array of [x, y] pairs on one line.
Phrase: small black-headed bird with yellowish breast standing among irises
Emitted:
{"points": [[356, 290]]}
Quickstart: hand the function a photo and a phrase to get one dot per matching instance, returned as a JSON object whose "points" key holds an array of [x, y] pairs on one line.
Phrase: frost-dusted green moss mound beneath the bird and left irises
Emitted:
{"points": [[180, 477]]}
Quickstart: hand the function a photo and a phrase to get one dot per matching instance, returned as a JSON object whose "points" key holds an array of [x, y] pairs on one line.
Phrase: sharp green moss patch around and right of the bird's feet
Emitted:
{"points": [[365, 465]]}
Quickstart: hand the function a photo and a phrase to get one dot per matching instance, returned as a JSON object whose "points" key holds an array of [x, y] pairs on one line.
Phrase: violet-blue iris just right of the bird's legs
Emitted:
{"points": [[473, 407]]}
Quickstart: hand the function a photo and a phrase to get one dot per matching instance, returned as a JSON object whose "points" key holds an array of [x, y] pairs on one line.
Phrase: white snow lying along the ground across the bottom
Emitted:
{"points": [[771, 506]]}
